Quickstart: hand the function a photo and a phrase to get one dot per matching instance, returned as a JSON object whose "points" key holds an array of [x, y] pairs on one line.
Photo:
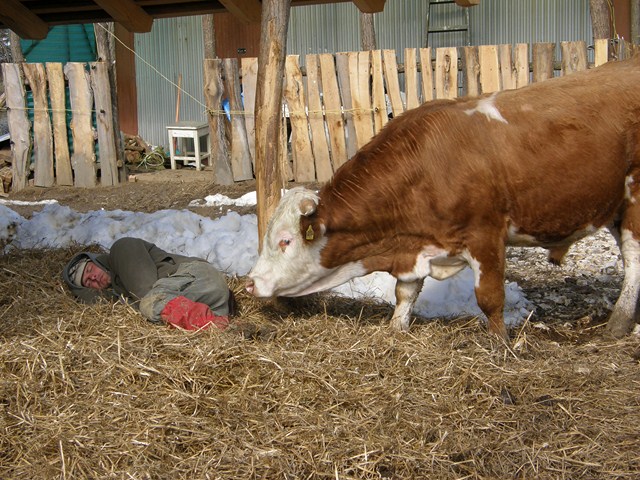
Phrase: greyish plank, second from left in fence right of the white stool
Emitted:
{"points": [[240, 154]]}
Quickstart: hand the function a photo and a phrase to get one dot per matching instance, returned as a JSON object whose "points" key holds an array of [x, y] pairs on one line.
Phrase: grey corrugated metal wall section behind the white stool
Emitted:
{"points": [[173, 47]]}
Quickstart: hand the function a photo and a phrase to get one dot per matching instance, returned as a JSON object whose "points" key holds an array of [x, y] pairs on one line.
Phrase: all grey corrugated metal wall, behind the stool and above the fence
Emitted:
{"points": [[175, 45]]}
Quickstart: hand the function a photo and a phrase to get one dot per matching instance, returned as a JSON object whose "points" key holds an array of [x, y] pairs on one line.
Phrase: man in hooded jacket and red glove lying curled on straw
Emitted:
{"points": [[185, 292]]}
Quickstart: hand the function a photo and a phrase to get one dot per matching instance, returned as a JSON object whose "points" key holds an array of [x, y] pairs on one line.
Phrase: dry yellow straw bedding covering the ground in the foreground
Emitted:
{"points": [[308, 389]]}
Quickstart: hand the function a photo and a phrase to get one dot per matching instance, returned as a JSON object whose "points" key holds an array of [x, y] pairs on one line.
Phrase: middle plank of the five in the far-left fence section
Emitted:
{"points": [[57, 96]]}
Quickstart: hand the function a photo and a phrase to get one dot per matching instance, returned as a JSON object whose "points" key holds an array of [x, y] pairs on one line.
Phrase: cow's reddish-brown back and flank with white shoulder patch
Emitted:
{"points": [[552, 158]]}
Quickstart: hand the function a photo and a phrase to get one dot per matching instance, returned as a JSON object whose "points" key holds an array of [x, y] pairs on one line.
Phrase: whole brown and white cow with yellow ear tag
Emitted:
{"points": [[450, 183]]}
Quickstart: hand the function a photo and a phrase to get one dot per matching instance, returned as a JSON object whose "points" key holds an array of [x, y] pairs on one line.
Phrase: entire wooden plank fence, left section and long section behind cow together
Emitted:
{"points": [[329, 111]]}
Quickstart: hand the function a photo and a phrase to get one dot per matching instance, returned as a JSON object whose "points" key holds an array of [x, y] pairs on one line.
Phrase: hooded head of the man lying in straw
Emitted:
{"points": [[85, 275]]}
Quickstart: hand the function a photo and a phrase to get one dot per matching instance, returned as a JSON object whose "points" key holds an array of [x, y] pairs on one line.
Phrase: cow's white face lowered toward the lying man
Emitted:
{"points": [[289, 264]]}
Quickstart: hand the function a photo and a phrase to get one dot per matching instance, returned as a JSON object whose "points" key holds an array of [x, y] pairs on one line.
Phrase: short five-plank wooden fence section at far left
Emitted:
{"points": [[43, 146]]}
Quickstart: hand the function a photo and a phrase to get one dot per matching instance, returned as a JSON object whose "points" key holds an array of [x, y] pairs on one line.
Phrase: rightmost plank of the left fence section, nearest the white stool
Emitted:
{"points": [[104, 124]]}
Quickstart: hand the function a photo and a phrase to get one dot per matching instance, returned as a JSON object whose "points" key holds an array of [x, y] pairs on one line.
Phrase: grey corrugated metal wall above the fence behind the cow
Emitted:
{"points": [[334, 27]]}
